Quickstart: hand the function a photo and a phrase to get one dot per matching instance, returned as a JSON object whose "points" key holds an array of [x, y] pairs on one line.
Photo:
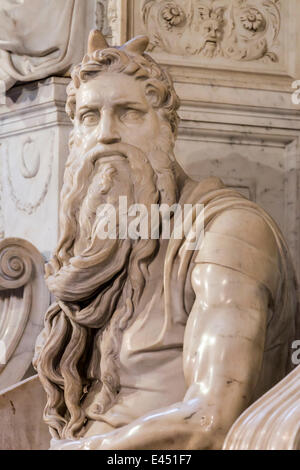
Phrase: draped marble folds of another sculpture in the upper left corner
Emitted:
{"points": [[48, 46]]}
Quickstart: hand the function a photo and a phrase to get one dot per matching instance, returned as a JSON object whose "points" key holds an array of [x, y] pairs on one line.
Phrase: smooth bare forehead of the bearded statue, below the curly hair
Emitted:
{"points": [[110, 88]]}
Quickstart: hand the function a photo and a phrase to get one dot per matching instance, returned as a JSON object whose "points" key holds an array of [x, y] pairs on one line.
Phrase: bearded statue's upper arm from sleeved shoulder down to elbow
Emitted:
{"points": [[235, 277]]}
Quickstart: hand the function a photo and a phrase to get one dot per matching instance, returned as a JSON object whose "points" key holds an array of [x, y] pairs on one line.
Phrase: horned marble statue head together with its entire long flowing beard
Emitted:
{"points": [[124, 109]]}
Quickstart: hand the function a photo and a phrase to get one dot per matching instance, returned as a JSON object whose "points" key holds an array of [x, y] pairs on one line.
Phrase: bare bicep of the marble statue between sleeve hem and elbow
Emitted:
{"points": [[225, 332]]}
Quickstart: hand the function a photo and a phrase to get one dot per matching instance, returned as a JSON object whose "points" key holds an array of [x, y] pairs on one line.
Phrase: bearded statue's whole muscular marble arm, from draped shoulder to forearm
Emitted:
{"points": [[223, 345]]}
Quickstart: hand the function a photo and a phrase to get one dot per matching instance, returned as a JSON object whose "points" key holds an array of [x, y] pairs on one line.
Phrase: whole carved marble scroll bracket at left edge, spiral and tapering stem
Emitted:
{"points": [[23, 299]]}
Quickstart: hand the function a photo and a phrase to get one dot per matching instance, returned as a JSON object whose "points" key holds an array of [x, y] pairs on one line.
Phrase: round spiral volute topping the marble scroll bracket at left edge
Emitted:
{"points": [[15, 266]]}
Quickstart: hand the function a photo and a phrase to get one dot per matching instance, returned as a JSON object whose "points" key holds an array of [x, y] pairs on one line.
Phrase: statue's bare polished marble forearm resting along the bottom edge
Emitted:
{"points": [[185, 426]]}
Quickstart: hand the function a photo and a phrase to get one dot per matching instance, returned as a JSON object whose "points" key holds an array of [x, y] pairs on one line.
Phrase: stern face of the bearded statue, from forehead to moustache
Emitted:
{"points": [[112, 108]]}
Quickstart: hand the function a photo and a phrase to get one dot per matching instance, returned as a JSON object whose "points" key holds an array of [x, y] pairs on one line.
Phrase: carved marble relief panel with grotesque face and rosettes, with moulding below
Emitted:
{"points": [[215, 42]]}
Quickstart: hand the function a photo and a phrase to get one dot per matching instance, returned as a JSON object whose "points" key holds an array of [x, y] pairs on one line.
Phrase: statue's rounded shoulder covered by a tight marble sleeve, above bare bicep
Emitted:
{"points": [[240, 240]]}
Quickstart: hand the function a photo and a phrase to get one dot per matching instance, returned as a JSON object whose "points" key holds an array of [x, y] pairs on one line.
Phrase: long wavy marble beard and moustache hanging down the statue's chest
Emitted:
{"points": [[97, 283]]}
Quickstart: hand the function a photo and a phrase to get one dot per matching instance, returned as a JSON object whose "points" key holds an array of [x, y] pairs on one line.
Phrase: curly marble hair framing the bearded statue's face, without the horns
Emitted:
{"points": [[159, 88]]}
